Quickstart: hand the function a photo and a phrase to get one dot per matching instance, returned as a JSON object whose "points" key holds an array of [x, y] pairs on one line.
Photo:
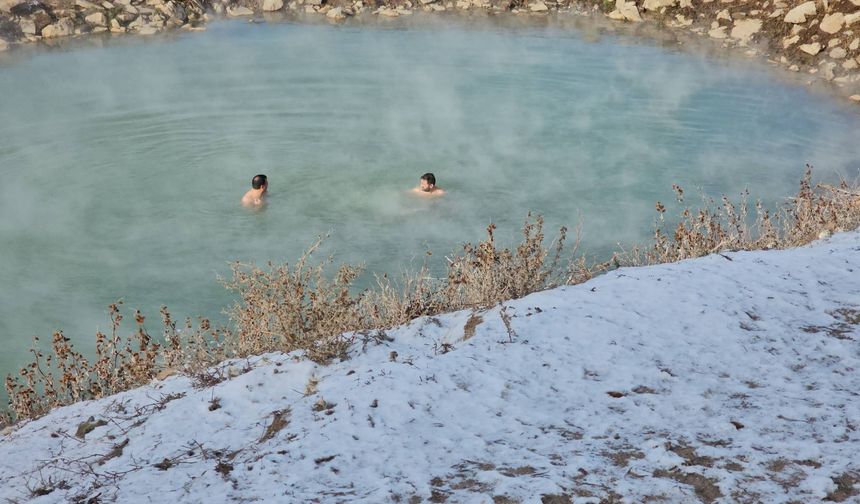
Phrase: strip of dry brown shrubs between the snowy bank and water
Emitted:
{"points": [[289, 308]]}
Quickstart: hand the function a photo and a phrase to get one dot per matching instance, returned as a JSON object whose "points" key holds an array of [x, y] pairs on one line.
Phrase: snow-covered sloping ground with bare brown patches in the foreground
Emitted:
{"points": [[731, 378]]}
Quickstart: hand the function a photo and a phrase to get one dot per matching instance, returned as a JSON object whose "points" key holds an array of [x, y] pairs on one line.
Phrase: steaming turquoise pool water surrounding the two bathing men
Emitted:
{"points": [[122, 166]]}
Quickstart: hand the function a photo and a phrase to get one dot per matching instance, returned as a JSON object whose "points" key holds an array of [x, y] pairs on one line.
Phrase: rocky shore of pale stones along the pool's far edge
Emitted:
{"points": [[820, 38]]}
